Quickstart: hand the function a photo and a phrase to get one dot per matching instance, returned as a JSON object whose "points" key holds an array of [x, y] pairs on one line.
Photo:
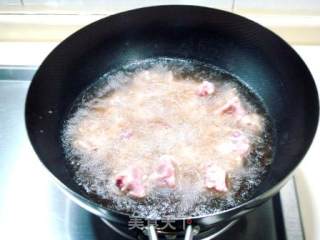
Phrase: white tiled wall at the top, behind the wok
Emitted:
{"points": [[269, 6]]}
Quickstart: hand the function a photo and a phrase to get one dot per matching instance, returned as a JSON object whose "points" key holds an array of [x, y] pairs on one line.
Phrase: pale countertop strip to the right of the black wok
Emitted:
{"points": [[307, 174]]}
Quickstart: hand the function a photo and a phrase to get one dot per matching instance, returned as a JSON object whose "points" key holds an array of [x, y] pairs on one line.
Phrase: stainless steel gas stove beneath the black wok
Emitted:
{"points": [[32, 207]]}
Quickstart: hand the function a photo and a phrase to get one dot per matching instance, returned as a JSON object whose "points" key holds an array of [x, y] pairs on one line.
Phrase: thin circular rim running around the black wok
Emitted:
{"points": [[249, 204]]}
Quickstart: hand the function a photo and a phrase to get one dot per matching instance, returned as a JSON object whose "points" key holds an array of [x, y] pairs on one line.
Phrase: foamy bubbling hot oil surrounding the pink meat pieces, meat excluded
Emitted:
{"points": [[132, 97]]}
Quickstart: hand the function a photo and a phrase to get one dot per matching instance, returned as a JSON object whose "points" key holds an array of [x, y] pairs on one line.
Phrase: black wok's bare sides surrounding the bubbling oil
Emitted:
{"points": [[266, 64]]}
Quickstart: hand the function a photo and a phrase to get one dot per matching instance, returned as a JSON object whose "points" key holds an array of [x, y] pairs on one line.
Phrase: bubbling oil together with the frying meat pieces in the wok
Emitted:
{"points": [[145, 141]]}
